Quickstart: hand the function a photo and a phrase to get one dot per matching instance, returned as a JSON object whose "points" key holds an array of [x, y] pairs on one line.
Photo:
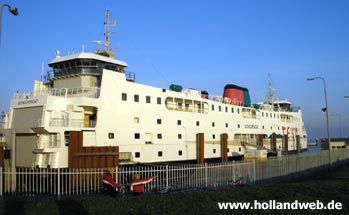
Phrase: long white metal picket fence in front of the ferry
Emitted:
{"points": [[169, 177]]}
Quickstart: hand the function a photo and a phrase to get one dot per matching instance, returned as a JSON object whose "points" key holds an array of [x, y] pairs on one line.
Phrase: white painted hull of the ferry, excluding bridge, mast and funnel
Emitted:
{"points": [[160, 127]]}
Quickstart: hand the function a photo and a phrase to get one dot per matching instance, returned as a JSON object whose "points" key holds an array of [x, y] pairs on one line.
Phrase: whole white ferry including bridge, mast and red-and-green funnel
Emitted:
{"points": [[89, 100]]}
